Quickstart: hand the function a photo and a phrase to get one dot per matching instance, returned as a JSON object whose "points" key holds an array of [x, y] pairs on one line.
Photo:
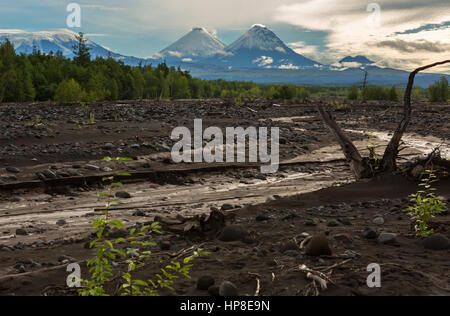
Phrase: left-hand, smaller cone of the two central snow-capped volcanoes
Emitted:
{"points": [[198, 43]]}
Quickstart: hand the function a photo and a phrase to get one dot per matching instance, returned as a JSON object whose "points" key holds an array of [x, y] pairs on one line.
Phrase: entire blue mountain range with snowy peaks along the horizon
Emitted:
{"points": [[259, 55]]}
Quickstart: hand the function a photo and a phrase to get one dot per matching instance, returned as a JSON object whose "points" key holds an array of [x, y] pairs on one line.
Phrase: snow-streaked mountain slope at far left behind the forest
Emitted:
{"points": [[60, 40]]}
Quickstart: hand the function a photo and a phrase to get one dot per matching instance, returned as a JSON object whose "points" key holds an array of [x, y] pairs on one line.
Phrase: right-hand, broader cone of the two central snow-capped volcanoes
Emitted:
{"points": [[261, 48]]}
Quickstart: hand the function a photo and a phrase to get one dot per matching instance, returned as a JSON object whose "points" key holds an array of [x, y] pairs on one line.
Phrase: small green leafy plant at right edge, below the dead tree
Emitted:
{"points": [[425, 205]]}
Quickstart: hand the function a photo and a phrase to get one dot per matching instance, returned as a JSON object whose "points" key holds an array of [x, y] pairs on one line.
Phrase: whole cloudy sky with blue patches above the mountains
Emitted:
{"points": [[396, 33]]}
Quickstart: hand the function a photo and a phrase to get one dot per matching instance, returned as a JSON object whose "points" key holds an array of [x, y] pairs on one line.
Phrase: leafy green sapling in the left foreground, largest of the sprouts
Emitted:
{"points": [[135, 256]]}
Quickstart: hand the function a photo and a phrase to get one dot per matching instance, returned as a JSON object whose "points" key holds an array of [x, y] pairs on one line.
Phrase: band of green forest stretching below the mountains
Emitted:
{"points": [[43, 77]]}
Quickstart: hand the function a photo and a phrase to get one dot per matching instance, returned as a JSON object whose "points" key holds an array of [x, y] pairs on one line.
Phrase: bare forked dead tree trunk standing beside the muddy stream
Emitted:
{"points": [[360, 166]]}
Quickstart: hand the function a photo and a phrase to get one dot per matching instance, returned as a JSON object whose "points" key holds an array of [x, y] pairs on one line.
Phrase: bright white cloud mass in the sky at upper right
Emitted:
{"points": [[349, 32]]}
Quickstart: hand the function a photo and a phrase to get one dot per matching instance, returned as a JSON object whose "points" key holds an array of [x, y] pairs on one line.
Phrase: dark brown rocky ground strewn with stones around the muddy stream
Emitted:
{"points": [[362, 222]]}
